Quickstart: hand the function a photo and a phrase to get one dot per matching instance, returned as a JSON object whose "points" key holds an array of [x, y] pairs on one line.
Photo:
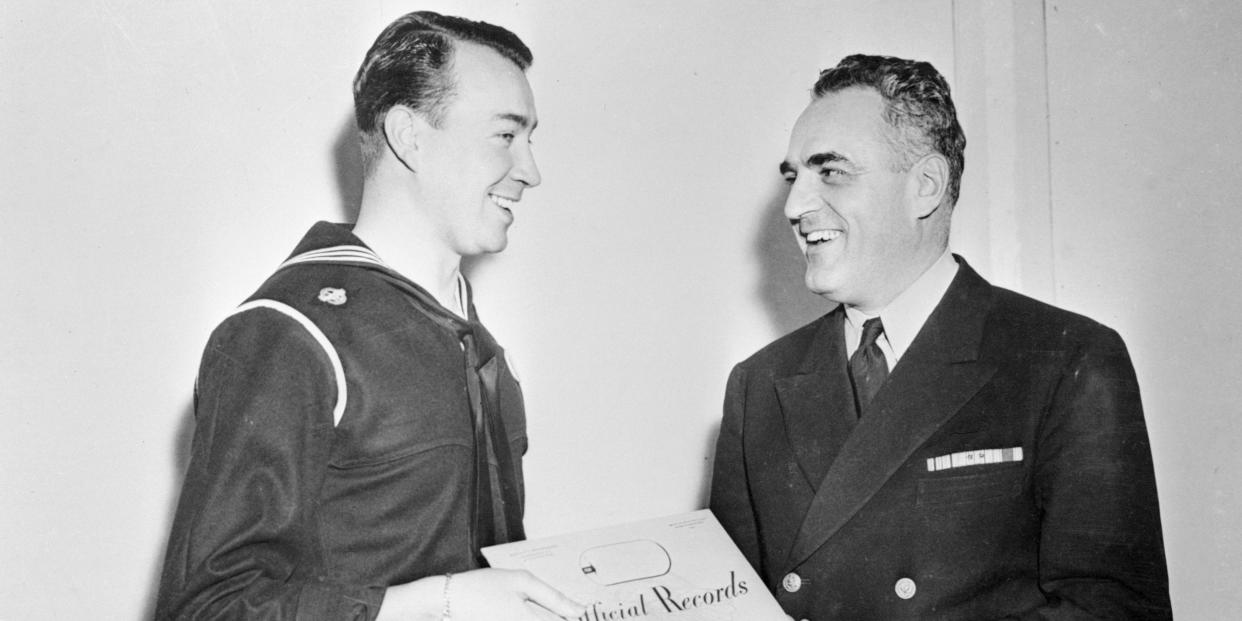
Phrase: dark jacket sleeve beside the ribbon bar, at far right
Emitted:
{"points": [[1102, 553]]}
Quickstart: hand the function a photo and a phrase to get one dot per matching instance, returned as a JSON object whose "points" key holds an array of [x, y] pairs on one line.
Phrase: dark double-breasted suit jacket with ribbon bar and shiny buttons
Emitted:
{"points": [[876, 519]]}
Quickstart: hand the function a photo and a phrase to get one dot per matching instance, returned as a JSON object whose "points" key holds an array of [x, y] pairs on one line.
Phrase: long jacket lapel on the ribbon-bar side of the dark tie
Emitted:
{"points": [[940, 373]]}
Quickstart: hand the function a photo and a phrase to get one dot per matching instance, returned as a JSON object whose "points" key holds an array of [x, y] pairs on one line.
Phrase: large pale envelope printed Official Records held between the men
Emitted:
{"points": [[680, 568]]}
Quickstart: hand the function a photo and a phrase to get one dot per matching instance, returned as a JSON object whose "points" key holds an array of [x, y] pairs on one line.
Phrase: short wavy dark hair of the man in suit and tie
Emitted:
{"points": [[917, 107]]}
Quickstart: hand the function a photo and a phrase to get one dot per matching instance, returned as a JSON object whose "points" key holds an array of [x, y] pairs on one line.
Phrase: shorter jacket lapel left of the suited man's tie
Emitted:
{"points": [[818, 402]]}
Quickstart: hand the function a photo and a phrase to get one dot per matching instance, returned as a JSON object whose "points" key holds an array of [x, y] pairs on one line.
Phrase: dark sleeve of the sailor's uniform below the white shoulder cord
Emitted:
{"points": [[245, 536]]}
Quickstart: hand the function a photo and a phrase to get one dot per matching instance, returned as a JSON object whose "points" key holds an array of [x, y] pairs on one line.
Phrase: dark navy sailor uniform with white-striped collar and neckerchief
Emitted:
{"points": [[351, 434]]}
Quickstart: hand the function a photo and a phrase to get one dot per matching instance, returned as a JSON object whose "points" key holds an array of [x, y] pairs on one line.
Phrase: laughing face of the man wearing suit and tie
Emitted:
{"points": [[854, 211]]}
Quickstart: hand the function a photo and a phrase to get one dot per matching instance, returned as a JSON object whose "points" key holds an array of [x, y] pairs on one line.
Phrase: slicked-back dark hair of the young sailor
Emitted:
{"points": [[410, 65]]}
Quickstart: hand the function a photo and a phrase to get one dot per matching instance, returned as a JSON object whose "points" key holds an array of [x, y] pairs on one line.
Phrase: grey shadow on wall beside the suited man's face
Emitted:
{"points": [[782, 288]]}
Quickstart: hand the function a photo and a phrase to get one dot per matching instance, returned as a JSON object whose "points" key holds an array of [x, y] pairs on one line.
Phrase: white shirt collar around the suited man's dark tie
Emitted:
{"points": [[906, 315]]}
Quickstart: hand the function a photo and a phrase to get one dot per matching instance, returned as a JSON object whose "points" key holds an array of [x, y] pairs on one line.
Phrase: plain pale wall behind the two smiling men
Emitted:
{"points": [[160, 160]]}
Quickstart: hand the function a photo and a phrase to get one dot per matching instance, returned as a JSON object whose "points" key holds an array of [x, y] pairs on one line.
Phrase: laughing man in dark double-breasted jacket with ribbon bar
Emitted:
{"points": [[935, 448]]}
